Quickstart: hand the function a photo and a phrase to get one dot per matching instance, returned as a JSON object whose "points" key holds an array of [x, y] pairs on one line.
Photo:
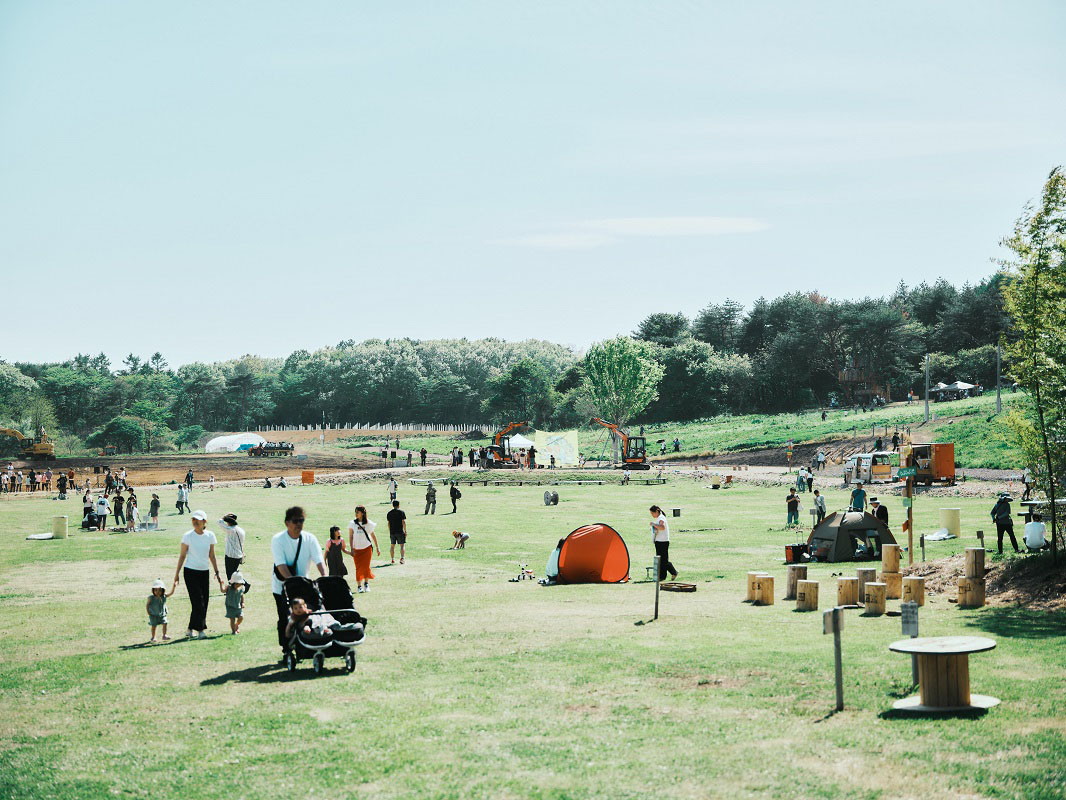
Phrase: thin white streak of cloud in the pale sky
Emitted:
{"points": [[613, 231]]}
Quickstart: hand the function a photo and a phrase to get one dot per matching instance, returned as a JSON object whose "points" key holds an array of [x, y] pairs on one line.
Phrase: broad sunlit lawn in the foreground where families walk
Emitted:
{"points": [[474, 687]]}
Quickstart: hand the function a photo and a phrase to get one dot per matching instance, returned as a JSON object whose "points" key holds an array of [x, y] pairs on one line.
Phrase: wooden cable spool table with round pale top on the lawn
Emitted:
{"points": [[944, 674]]}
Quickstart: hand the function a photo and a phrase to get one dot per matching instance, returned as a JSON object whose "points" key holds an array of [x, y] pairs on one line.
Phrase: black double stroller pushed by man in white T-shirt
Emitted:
{"points": [[327, 596]]}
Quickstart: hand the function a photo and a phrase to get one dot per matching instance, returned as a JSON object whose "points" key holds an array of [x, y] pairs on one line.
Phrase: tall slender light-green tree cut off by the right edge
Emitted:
{"points": [[1037, 300]]}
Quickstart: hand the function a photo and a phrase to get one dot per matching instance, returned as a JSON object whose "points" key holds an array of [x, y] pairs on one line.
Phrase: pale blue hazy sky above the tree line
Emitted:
{"points": [[211, 180]]}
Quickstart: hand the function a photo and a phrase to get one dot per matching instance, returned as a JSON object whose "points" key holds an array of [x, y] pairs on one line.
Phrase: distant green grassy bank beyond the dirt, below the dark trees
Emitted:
{"points": [[984, 440]]}
